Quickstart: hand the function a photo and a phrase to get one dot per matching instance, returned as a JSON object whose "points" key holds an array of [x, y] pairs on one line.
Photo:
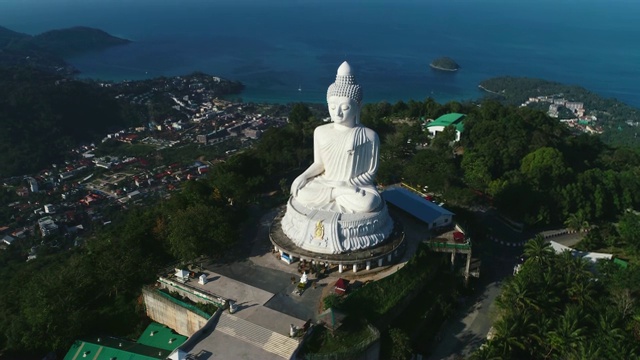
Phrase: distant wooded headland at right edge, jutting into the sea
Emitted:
{"points": [[611, 113]]}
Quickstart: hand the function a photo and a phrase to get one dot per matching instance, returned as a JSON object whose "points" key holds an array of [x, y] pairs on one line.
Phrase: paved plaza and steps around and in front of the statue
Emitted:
{"points": [[261, 285]]}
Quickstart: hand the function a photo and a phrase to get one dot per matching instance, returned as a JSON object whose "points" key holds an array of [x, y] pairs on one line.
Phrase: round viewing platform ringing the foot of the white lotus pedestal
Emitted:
{"points": [[383, 254]]}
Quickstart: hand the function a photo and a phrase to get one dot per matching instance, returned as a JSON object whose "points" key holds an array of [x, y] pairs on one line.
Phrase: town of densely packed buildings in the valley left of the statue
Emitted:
{"points": [[51, 210]]}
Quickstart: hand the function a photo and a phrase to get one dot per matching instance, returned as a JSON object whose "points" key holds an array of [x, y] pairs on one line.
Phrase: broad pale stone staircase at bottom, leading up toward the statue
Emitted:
{"points": [[256, 335]]}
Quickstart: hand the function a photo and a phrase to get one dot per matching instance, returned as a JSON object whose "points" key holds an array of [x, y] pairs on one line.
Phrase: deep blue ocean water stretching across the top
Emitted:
{"points": [[289, 50]]}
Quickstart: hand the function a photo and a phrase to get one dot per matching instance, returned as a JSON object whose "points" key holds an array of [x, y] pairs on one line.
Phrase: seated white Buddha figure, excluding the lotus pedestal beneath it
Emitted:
{"points": [[345, 155]]}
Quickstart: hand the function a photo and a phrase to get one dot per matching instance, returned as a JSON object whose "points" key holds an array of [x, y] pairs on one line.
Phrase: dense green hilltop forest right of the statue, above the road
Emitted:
{"points": [[518, 159]]}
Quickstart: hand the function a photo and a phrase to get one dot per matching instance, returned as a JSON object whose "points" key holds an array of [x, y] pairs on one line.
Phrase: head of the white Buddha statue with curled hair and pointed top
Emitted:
{"points": [[344, 98]]}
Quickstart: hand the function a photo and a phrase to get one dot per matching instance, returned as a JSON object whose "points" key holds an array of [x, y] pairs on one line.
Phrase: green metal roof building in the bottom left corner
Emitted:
{"points": [[156, 342]]}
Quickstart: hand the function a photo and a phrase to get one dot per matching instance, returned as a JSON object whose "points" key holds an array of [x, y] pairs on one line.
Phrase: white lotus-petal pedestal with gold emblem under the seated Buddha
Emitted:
{"points": [[328, 232]]}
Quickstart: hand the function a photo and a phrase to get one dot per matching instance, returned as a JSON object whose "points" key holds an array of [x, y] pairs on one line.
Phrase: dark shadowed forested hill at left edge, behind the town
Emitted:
{"points": [[43, 115]]}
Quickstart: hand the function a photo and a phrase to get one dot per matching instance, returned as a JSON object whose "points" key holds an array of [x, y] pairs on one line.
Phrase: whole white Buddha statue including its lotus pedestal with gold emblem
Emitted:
{"points": [[334, 205]]}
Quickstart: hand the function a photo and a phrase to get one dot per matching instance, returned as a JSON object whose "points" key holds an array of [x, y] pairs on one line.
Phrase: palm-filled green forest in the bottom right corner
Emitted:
{"points": [[563, 307]]}
